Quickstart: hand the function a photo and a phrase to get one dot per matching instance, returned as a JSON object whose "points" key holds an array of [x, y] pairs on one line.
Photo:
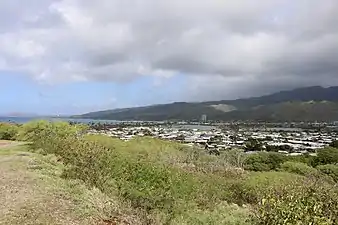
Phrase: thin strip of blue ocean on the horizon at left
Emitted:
{"points": [[21, 120]]}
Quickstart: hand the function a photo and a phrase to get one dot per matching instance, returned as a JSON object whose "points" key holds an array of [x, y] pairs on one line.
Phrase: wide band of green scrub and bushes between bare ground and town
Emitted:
{"points": [[167, 183]]}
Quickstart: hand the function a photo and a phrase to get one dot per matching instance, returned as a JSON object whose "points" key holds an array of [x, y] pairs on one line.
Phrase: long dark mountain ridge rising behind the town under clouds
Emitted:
{"points": [[303, 104]]}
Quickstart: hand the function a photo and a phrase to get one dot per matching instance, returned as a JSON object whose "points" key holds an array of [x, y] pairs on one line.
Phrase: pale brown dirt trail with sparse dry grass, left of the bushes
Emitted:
{"points": [[29, 197]]}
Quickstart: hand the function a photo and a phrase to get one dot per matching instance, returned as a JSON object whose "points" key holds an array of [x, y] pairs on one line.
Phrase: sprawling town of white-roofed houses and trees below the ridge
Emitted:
{"points": [[287, 138]]}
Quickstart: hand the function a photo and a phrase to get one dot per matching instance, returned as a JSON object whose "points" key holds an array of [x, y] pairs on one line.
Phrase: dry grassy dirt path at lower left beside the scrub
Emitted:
{"points": [[32, 192]]}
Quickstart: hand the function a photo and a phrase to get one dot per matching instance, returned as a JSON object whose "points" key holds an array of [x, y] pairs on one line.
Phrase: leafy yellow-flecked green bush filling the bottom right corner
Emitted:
{"points": [[299, 203]]}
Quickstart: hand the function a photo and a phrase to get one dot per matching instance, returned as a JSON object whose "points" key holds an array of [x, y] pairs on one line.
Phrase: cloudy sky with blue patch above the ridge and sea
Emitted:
{"points": [[75, 56]]}
